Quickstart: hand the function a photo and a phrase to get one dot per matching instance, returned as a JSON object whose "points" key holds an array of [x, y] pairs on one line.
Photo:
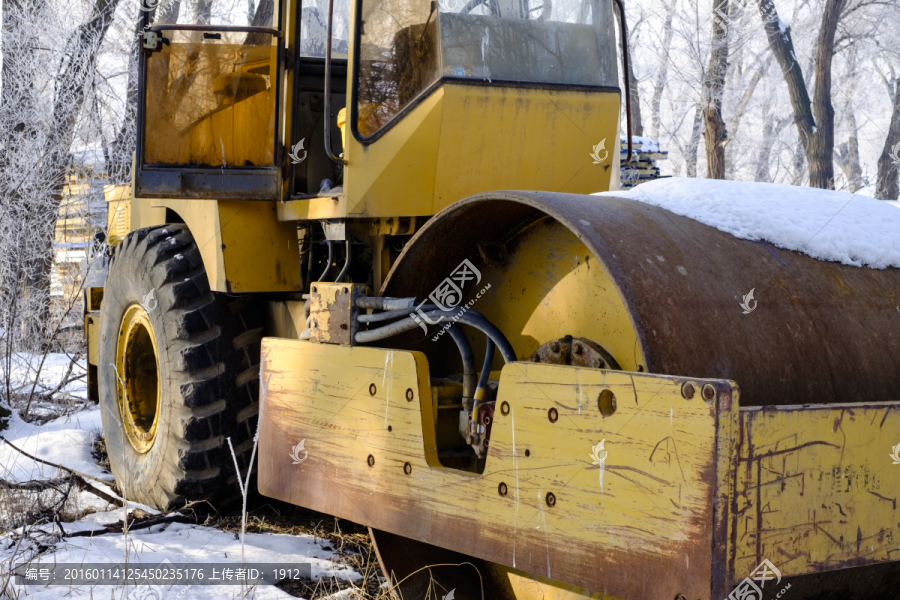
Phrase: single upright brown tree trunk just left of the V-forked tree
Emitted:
{"points": [[714, 90]]}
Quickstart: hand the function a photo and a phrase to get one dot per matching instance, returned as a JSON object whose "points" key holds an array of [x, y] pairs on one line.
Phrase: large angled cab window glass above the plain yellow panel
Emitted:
{"points": [[407, 45]]}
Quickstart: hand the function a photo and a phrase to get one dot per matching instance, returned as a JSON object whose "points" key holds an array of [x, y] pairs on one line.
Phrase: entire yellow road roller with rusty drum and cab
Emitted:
{"points": [[365, 228]]}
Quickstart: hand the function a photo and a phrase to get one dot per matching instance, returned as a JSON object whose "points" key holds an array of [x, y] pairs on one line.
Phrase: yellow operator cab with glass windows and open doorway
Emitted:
{"points": [[233, 106]]}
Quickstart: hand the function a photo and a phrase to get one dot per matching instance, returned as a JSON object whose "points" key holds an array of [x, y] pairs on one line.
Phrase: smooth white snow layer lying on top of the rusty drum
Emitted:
{"points": [[837, 226]]}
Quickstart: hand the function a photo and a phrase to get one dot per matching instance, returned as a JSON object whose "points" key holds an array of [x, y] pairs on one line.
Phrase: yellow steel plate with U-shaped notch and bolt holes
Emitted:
{"points": [[650, 500]]}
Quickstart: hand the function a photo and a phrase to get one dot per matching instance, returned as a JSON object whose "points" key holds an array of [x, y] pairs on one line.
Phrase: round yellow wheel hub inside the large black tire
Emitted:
{"points": [[137, 371]]}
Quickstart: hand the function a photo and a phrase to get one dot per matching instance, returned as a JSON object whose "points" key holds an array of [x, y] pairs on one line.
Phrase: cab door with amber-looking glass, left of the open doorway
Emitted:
{"points": [[209, 102]]}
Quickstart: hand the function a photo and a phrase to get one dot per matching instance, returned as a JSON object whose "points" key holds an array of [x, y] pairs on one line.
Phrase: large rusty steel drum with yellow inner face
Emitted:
{"points": [[660, 293]]}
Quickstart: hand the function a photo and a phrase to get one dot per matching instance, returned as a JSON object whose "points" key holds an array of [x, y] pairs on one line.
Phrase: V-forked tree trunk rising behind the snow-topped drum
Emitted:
{"points": [[814, 119]]}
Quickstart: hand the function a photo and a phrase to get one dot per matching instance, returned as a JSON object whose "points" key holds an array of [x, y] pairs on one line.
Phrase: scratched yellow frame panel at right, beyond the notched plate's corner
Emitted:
{"points": [[817, 489]]}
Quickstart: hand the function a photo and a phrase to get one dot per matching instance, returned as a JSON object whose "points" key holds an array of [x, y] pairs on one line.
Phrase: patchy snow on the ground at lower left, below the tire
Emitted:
{"points": [[68, 441]]}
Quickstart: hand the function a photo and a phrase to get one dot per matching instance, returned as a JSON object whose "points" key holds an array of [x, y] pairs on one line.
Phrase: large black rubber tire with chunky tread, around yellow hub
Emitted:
{"points": [[208, 348]]}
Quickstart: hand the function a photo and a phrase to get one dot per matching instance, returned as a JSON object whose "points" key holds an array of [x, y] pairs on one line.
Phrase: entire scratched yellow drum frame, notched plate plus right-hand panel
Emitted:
{"points": [[693, 491]]}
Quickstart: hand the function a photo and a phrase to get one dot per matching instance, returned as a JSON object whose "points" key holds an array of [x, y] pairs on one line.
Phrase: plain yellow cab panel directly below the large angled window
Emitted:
{"points": [[467, 139]]}
